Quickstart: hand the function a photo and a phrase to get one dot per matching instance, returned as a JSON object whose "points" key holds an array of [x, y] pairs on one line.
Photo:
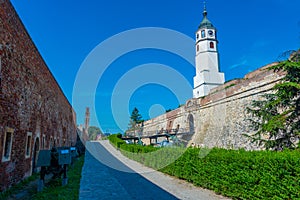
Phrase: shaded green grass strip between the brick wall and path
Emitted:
{"points": [[54, 190]]}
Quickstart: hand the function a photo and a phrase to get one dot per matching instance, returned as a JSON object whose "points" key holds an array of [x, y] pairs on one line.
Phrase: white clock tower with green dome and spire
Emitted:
{"points": [[208, 75]]}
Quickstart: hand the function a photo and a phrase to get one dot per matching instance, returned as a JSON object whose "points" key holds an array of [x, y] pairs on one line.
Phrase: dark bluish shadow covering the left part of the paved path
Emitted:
{"points": [[102, 182]]}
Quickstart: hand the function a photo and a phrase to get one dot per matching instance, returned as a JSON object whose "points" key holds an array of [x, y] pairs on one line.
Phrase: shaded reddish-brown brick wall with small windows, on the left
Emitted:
{"points": [[30, 99]]}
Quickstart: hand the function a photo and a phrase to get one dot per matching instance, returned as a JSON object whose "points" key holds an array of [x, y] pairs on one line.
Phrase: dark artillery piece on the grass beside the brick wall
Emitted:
{"points": [[55, 161]]}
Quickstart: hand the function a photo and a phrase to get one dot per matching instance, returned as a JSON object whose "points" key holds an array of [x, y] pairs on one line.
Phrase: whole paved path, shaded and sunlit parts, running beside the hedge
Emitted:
{"points": [[107, 174]]}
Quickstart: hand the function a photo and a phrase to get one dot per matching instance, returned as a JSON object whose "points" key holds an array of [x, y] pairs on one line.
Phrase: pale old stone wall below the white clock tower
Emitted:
{"points": [[219, 119]]}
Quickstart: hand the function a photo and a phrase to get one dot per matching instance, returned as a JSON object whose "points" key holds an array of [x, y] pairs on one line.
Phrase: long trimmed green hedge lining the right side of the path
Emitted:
{"points": [[238, 174]]}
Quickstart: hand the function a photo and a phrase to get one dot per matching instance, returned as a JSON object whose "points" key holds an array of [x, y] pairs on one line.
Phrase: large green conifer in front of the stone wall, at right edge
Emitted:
{"points": [[276, 118]]}
